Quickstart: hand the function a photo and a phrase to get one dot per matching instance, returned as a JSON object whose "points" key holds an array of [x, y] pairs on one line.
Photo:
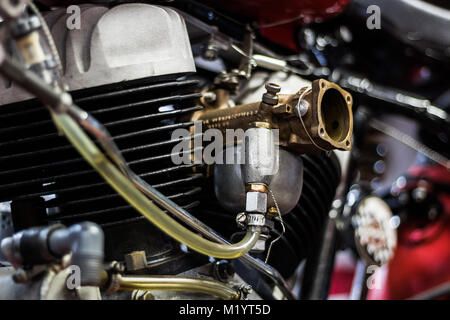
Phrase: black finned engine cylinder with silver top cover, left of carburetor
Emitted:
{"points": [[128, 88]]}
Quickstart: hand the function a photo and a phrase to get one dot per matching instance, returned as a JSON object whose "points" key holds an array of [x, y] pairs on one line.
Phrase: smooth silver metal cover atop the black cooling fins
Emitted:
{"points": [[104, 51]]}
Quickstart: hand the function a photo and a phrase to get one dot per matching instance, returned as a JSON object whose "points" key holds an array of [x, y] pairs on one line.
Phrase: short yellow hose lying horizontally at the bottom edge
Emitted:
{"points": [[151, 283]]}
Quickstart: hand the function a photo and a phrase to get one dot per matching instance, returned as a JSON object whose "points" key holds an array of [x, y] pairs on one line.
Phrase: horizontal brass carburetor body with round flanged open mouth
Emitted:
{"points": [[316, 118]]}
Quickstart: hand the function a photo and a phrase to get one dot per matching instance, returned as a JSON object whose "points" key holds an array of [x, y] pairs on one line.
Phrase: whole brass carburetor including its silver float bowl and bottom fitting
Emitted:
{"points": [[269, 181]]}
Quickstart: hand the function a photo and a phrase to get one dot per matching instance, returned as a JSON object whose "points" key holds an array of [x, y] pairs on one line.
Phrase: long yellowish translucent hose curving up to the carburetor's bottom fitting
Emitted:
{"points": [[138, 200]]}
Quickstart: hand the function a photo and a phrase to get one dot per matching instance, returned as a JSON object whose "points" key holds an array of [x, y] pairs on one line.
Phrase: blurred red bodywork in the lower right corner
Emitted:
{"points": [[422, 258]]}
